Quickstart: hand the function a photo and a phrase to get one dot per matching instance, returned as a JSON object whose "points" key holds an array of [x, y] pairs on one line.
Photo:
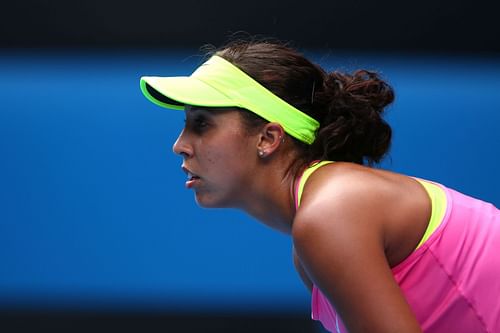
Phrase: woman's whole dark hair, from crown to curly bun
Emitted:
{"points": [[349, 107]]}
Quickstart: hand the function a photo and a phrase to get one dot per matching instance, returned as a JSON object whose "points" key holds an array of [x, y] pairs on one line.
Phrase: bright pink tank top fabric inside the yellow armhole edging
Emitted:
{"points": [[452, 280]]}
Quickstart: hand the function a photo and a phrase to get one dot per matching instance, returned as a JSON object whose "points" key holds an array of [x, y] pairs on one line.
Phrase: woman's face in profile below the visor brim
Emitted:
{"points": [[218, 156]]}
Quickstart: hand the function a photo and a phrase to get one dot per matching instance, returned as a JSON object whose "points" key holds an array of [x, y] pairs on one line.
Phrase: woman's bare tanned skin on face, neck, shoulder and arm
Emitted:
{"points": [[353, 225]]}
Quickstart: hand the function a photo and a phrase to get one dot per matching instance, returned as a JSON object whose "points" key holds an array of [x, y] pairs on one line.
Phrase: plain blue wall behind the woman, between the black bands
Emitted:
{"points": [[93, 212]]}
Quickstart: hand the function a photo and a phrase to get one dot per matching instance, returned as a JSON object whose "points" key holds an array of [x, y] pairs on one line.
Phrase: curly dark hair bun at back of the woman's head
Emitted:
{"points": [[353, 128]]}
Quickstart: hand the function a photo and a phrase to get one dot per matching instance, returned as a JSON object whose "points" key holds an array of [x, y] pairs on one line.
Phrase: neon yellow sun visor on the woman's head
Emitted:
{"points": [[218, 83]]}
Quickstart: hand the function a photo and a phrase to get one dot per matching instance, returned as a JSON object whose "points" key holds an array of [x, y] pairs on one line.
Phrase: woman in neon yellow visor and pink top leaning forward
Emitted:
{"points": [[273, 134]]}
